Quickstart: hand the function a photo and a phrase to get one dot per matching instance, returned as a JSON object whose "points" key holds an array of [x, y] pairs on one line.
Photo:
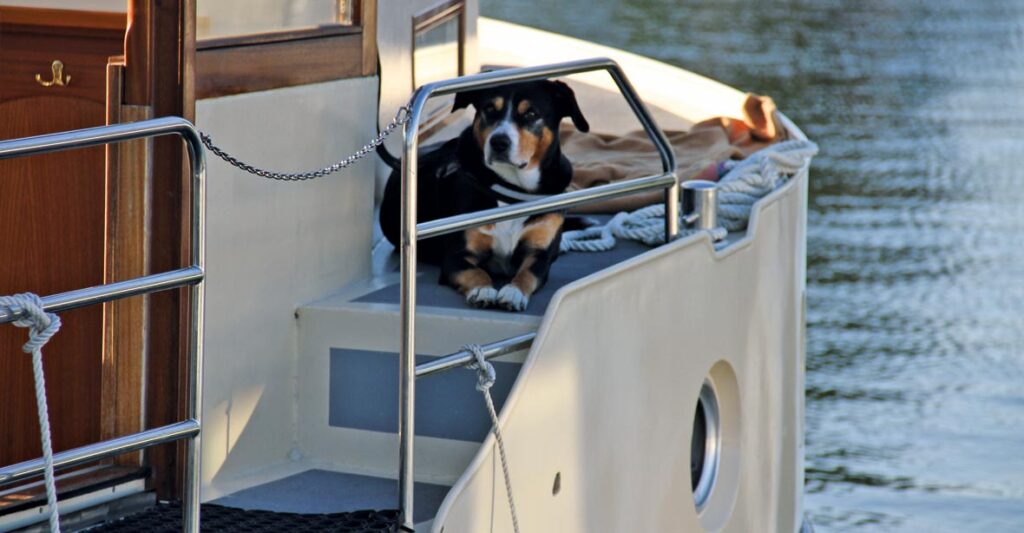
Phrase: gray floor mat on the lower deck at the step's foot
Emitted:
{"points": [[317, 492]]}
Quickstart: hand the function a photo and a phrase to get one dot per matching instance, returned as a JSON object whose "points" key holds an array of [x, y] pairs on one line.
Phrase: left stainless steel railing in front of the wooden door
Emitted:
{"points": [[193, 276]]}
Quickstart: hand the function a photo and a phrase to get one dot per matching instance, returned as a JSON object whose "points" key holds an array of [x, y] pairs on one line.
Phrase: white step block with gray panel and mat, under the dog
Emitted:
{"points": [[349, 370]]}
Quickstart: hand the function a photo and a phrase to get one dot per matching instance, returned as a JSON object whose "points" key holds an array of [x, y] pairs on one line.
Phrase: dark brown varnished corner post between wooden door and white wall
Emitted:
{"points": [[157, 72]]}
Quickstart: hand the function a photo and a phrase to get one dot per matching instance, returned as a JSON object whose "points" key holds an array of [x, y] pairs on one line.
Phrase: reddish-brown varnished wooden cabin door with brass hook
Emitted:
{"points": [[56, 242]]}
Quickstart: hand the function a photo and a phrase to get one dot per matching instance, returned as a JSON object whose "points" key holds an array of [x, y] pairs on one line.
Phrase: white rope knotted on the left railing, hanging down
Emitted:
{"points": [[41, 327]]}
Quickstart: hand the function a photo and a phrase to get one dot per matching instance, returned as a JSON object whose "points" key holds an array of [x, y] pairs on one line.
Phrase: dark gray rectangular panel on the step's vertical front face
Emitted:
{"points": [[448, 406]]}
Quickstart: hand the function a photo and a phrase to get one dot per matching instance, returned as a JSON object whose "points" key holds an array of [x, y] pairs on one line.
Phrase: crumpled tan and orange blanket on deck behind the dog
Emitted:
{"points": [[601, 159]]}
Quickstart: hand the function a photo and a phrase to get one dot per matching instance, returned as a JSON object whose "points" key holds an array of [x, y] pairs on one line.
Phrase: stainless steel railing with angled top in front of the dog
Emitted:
{"points": [[411, 232]]}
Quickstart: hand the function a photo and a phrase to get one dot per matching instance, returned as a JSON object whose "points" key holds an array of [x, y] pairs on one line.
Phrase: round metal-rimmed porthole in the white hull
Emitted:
{"points": [[705, 446]]}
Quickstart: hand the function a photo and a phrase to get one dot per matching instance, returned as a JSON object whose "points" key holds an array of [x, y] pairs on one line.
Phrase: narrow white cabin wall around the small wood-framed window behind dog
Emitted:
{"points": [[395, 45]]}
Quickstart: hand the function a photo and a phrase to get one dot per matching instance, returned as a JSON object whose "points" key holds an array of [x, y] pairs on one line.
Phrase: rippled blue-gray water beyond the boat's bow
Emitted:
{"points": [[916, 253]]}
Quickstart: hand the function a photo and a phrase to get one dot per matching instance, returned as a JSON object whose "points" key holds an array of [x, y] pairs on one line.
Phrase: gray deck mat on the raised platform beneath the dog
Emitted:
{"points": [[569, 268]]}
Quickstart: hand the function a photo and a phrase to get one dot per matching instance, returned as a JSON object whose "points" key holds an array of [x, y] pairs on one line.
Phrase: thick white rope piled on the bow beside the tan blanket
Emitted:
{"points": [[745, 184]]}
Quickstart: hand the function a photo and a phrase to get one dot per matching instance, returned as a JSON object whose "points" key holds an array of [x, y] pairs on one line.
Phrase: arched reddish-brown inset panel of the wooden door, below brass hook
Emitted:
{"points": [[55, 244]]}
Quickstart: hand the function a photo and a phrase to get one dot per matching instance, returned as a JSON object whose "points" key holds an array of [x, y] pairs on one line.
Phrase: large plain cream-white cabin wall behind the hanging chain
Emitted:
{"points": [[273, 246]]}
